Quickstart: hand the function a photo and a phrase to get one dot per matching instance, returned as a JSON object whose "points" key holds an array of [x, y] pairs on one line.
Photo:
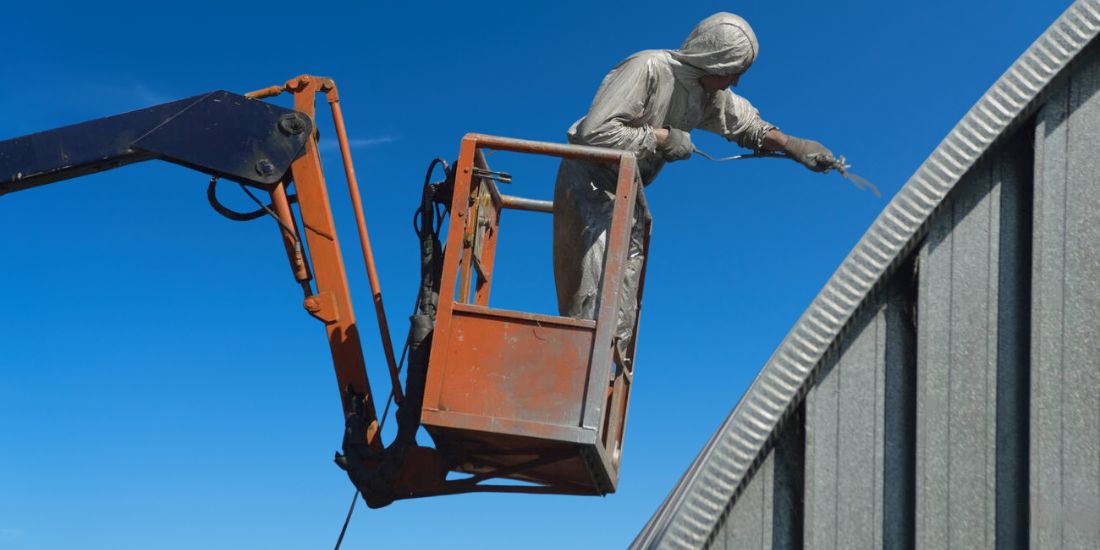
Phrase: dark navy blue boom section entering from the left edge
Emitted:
{"points": [[219, 134]]}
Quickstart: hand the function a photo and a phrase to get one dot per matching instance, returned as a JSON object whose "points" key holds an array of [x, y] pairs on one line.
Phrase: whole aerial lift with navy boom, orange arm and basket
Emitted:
{"points": [[565, 437]]}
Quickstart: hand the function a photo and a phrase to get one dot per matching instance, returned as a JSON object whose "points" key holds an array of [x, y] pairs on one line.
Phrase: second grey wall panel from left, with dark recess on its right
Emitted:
{"points": [[860, 434]]}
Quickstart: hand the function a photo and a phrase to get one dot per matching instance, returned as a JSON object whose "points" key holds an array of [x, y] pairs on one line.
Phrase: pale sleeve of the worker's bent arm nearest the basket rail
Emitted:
{"points": [[618, 116]]}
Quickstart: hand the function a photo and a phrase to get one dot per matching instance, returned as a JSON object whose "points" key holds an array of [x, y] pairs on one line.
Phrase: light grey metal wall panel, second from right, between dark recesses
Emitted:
{"points": [[955, 426]]}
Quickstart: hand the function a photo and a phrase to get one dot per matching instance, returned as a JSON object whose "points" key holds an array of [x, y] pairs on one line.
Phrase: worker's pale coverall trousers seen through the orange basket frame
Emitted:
{"points": [[582, 218]]}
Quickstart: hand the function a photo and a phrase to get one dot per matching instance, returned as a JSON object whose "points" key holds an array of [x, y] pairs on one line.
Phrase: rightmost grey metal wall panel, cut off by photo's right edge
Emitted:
{"points": [[1065, 410]]}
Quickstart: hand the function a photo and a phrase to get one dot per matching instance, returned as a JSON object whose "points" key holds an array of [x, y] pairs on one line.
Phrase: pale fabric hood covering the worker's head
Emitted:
{"points": [[722, 45]]}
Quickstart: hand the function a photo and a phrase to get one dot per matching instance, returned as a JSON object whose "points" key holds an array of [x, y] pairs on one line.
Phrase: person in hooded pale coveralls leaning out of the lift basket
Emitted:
{"points": [[648, 105]]}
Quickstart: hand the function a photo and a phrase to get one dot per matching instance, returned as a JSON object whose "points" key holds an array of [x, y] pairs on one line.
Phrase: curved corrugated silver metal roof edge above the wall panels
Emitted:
{"points": [[689, 515]]}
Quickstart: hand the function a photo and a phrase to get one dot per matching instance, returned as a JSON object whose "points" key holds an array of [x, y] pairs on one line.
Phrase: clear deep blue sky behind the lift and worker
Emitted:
{"points": [[160, 386]]}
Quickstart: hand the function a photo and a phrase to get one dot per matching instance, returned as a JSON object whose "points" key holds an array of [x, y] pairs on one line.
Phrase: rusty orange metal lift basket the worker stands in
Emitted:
{"points": [[507, 387]]}
